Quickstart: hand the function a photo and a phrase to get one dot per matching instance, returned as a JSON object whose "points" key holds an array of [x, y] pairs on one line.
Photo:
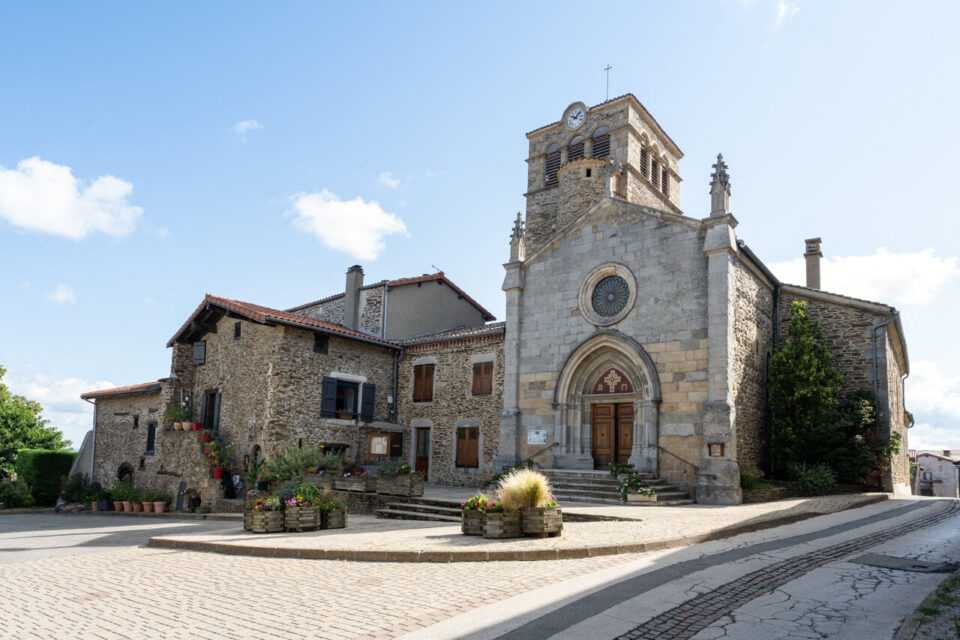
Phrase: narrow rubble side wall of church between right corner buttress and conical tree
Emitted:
{"points": [[753, 346]]}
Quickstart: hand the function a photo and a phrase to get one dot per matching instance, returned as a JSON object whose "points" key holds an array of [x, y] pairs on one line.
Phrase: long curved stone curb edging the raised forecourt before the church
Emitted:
{"points": [[573, 553]]}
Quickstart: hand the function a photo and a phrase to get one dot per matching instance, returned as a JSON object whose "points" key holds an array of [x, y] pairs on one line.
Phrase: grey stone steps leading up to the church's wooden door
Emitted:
{"points": [[599, 487]]}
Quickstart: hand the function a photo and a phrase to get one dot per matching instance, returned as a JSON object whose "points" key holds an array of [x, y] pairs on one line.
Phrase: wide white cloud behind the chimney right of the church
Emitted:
{"points": [[894, 278]]}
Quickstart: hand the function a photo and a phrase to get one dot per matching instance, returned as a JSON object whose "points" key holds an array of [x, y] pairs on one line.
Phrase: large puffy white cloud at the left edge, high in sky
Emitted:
{"points": [[42, 196]]}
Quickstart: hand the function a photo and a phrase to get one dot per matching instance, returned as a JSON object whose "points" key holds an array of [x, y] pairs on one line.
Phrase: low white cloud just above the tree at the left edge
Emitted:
{"points": [[61, 401]]}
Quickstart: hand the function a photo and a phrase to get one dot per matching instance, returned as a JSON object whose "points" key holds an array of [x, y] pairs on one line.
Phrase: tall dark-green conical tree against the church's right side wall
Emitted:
{"points": [[803, 389]]}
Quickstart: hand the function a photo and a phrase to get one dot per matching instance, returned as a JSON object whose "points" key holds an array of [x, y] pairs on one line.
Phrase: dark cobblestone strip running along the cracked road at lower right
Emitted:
{"points": [[688, 619]]}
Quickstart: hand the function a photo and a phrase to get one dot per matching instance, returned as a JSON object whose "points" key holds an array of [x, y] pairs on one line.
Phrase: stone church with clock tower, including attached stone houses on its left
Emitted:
{"points": [[635, 333]]}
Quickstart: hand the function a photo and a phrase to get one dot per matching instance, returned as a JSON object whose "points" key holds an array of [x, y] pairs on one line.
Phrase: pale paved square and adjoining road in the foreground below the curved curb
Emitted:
{"points": [[88, 576]]}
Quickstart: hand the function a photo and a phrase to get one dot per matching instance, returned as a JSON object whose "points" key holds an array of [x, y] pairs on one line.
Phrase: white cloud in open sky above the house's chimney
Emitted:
{"points": [[354, 227]]}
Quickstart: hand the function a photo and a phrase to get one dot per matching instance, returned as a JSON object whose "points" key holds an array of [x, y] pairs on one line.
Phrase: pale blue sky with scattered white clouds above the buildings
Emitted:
{"points": [[153, 153]]}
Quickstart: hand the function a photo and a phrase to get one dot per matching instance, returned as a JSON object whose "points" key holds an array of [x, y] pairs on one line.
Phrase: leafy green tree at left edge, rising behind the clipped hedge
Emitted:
{"points": [[23, 427]]}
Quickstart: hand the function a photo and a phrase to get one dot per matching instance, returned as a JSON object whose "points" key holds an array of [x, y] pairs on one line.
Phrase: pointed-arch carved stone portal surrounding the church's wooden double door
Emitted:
{"points": [[578, 390]]}
